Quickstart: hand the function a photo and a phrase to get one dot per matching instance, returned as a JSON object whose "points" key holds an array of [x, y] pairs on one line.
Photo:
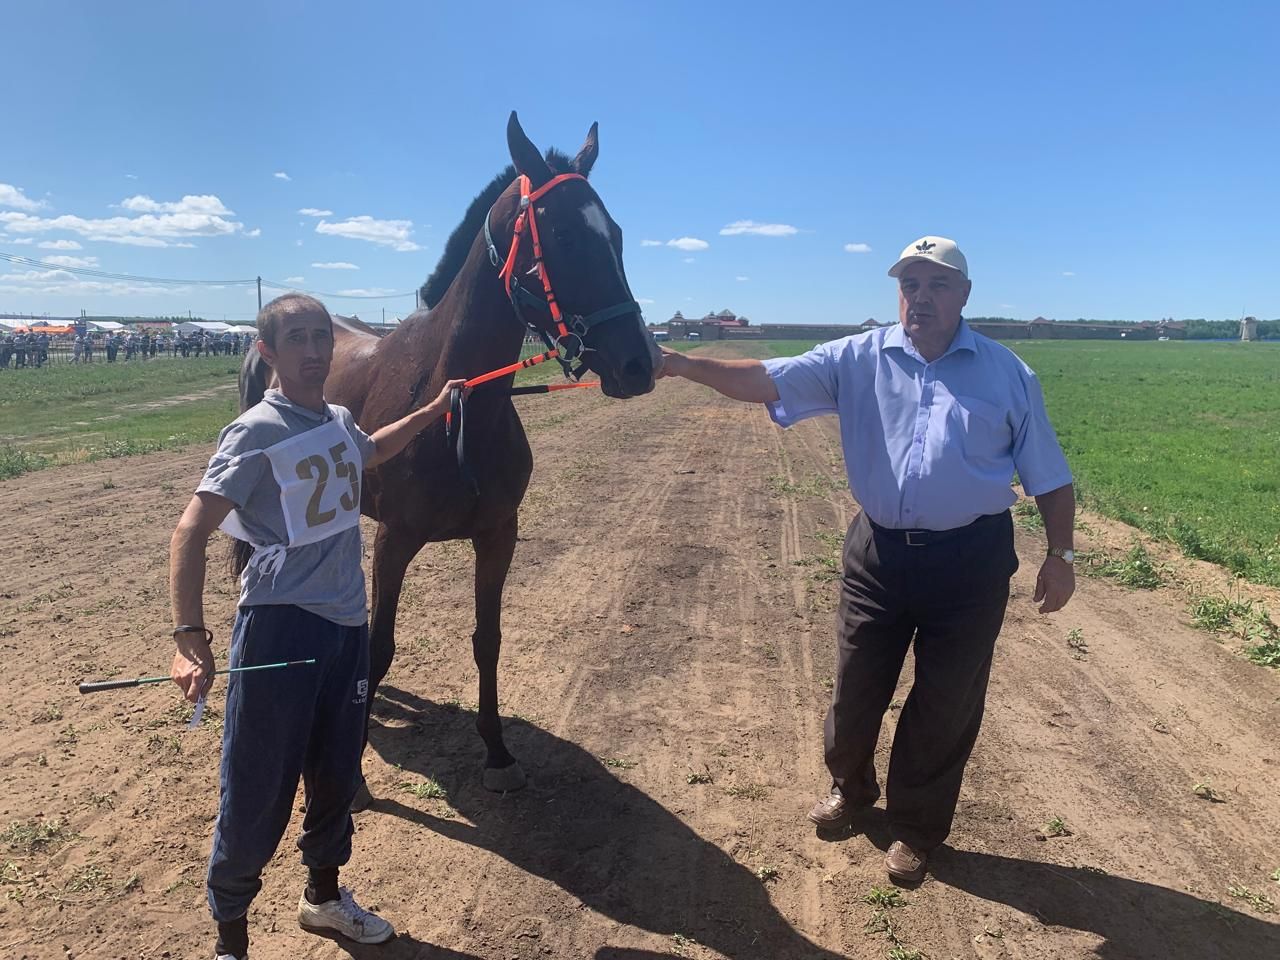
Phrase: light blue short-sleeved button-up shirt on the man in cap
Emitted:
{"points": [[927, 446]]}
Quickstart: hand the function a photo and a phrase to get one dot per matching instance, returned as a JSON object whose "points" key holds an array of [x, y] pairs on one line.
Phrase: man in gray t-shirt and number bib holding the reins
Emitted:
{"points": [[286, 479]]}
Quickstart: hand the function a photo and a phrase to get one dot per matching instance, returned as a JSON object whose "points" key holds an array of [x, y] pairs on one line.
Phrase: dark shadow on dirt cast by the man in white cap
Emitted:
{"points": [[1136, 920]]}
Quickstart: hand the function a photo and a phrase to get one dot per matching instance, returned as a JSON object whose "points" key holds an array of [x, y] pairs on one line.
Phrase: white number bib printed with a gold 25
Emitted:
{"points": [[319, 477]]}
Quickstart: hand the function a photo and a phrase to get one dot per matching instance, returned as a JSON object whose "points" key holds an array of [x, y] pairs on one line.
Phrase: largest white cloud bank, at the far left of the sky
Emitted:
{"points": [[150, 230]]}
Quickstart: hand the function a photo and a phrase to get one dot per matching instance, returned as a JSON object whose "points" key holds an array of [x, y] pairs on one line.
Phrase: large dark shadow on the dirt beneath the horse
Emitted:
{"points": [[591, 834]]}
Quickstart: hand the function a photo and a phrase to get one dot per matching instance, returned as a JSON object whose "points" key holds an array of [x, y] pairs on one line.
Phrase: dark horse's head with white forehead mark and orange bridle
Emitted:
{"points": [[564, 269]]}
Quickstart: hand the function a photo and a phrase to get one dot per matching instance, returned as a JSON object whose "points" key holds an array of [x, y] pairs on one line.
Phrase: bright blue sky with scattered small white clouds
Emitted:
{"points": [[1105, 161]]}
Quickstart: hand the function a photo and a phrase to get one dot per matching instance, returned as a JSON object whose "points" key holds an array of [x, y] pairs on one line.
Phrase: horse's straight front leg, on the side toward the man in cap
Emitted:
{"points": [[495, 550]]}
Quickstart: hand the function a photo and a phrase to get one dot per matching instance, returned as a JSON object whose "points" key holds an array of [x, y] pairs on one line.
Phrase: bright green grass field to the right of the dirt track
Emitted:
{"points": [[1181, 440]]}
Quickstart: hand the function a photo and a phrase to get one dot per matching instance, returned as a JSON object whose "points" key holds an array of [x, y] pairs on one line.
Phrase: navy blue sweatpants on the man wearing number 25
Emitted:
{"points": [[282, 724]]}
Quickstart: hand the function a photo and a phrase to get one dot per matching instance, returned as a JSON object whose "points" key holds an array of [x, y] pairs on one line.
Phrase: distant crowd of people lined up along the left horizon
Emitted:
{"points": [[31, 350]]}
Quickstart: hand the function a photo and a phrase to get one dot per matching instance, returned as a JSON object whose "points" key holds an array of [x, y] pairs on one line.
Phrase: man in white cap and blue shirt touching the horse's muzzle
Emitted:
{"points": [[935, 420]]}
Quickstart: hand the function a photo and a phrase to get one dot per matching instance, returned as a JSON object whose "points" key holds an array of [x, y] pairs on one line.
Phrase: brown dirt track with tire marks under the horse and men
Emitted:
{"points": [[668, 620]]}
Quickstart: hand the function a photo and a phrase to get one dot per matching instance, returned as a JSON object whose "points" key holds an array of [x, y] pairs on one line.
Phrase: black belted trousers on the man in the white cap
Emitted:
{"points": [[947, 592]]}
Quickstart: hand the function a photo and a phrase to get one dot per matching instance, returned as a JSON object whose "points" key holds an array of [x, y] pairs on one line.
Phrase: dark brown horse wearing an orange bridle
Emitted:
{"points": [[420, 496]]}
